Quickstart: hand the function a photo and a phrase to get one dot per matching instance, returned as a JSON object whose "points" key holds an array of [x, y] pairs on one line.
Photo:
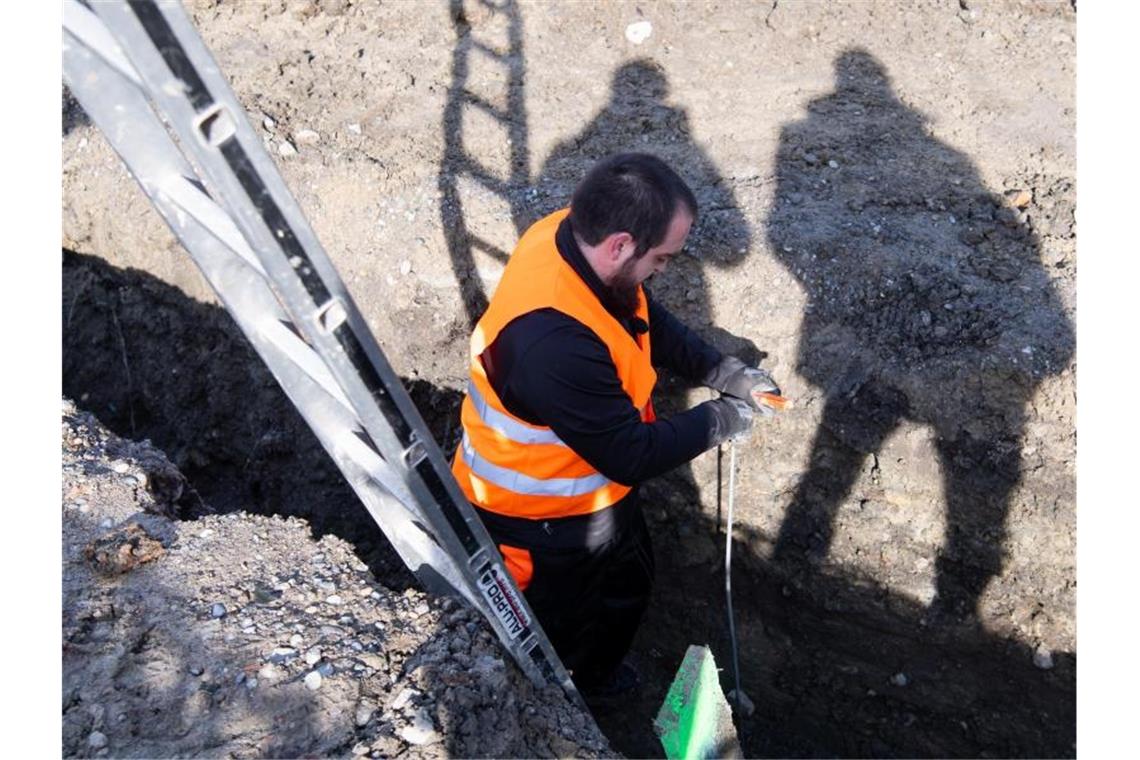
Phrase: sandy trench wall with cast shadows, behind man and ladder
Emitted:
{"points": [[887, 201]]}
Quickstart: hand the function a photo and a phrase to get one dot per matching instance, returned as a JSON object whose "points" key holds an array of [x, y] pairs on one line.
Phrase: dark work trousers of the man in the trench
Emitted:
{"points": [[590, 584]]}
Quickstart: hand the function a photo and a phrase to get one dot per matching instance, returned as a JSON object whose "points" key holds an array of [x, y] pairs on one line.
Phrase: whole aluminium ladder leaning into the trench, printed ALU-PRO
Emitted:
{"points": [[139, 67]]}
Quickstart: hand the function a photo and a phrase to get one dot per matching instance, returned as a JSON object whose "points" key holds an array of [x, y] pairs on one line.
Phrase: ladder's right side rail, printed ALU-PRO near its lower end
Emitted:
{"points": [[329, 318]]}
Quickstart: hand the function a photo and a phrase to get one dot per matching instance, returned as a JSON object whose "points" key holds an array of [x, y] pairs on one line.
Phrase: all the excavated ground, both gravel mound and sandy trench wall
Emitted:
{"points": [[887, 224]]}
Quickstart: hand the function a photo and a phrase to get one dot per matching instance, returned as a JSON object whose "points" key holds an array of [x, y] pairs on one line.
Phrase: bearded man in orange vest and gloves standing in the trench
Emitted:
{"points": [[558, 423]]}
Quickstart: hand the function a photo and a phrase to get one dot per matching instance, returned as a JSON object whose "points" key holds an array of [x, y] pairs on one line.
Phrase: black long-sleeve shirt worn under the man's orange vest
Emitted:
{"points": [[550, 370]]}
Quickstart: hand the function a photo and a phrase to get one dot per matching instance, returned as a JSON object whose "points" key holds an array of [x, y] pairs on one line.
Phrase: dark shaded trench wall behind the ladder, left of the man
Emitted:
{"points": [[152, 363]]}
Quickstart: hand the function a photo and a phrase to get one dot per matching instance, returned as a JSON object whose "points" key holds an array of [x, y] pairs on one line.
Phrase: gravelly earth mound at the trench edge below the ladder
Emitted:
{"points": [[225, 683]]}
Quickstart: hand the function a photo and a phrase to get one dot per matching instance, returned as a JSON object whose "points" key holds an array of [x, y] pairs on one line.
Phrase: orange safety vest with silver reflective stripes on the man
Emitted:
{"points": [[514, 468]]}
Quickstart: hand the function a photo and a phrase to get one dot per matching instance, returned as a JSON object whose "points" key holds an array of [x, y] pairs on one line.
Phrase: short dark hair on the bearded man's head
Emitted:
{"points": [[630, 193]]}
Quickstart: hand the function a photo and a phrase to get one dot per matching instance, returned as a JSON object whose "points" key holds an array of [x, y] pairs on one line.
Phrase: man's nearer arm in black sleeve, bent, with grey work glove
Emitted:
{"points": [[550, 370]]}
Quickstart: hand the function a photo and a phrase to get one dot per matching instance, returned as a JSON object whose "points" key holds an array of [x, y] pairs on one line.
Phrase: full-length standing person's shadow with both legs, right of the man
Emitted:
{"points": [[927, 301]]}
